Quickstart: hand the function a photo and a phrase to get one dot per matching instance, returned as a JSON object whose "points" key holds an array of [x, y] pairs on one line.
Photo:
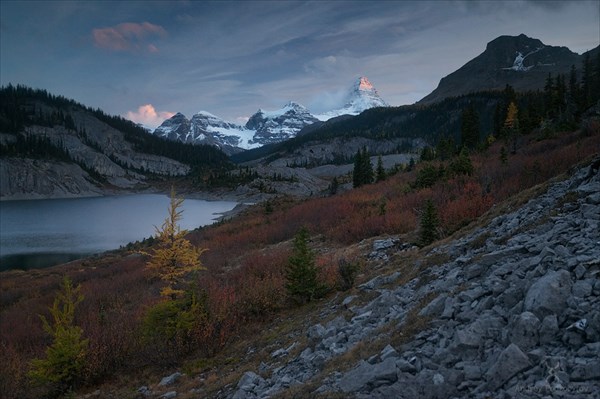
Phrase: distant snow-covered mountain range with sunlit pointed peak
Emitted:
{"points": [[264, 127]]}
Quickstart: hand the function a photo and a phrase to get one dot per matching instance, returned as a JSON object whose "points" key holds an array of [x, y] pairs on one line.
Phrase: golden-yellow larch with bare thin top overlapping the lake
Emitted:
{"points": [[174, 256]]}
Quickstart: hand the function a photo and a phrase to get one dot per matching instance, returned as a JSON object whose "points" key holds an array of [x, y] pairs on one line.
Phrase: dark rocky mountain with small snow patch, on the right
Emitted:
{"points": [[519, 61]]}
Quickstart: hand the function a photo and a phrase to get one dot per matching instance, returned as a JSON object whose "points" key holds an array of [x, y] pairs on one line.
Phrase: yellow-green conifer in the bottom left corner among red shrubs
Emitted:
{"points": [[65, 357]]}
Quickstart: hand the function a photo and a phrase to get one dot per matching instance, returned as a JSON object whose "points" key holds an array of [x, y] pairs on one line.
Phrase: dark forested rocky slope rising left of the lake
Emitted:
{"points": [[55, 147]]}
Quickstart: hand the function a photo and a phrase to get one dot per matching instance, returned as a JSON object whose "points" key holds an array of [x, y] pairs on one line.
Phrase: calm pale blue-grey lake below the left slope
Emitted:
{"points": [[42, 233]]}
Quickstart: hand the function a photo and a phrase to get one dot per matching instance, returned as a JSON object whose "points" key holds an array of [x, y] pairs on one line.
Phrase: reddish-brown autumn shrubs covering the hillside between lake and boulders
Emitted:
{"points": [[245, 284]]}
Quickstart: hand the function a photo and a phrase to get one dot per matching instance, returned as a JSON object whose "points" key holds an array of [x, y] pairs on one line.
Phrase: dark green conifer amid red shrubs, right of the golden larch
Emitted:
{"points": [[302, 275]]}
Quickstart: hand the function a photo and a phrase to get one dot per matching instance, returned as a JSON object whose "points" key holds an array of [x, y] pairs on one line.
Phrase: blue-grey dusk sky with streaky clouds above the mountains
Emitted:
{"points": [[146, 60]]}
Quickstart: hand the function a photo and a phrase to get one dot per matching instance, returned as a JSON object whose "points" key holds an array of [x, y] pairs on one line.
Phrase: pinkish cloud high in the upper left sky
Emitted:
{"points": [[128, 36]]}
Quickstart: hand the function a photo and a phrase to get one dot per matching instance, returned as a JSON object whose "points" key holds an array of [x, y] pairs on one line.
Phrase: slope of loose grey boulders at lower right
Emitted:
{"points": [[513, 311]]}
